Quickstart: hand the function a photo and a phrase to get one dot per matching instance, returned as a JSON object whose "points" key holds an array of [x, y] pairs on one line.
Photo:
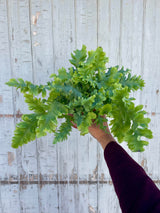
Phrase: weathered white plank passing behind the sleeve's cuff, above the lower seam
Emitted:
{"points": [[108, 38]]}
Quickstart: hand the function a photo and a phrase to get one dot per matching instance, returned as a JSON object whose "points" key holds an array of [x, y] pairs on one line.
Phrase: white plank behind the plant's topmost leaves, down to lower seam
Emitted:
{"points": [[86, 33]]}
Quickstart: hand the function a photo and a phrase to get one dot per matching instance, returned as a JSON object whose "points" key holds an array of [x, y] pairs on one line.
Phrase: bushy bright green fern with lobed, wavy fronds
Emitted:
{"points": [[88, 90]]}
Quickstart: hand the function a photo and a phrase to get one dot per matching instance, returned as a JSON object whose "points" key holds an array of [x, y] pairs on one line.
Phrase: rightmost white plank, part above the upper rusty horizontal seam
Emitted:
{"points": [[150, 60]]}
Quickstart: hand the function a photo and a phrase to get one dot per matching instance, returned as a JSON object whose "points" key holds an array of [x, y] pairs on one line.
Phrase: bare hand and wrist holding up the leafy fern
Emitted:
{"points": [[99, 134]]}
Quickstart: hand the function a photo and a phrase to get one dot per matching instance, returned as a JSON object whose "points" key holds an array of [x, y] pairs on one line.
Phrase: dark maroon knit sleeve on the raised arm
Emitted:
{"points": [[137, 193]]}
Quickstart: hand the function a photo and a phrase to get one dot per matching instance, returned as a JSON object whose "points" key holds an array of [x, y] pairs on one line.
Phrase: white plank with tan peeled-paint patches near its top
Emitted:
{"points": [[43, 65]]}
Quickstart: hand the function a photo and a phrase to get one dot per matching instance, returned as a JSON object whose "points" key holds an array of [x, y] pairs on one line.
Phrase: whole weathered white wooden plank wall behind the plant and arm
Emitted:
{"points": [[36, 38]]}
